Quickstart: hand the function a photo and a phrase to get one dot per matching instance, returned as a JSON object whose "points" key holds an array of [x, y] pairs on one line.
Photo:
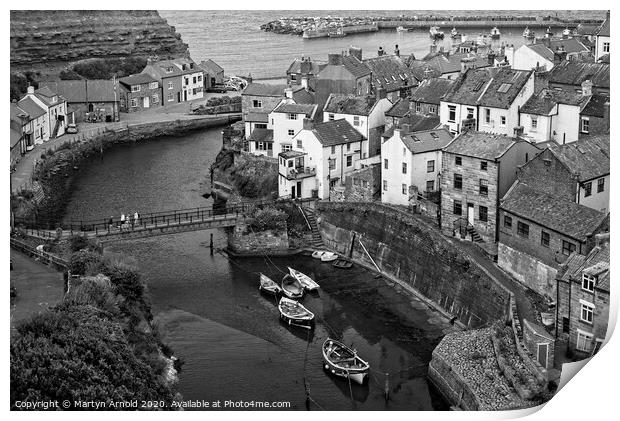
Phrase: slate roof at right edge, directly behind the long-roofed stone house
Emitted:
{"points": [[588, 157]]}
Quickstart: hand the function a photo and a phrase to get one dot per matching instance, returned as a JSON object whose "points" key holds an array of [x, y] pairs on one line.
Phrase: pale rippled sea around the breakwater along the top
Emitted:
{"points": [[234, 40]]}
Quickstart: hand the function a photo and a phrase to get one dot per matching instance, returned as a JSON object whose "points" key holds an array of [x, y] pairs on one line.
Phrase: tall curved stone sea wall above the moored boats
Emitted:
{"points": [[417, 254]]}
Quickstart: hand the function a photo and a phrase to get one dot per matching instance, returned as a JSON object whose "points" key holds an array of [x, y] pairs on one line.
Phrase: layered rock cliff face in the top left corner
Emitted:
{"points": [[54, 36]]}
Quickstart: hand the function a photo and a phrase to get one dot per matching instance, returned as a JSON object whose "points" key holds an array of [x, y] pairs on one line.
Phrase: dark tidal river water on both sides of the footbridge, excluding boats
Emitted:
{"points": [[210, 311]]}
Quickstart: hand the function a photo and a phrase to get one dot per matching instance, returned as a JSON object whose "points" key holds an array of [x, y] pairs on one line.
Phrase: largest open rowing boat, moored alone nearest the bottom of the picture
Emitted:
{"points": [[342, 361]]}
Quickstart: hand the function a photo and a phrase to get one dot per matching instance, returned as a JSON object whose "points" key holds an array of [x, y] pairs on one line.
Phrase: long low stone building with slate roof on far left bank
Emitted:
{"points": [[94, 100]]}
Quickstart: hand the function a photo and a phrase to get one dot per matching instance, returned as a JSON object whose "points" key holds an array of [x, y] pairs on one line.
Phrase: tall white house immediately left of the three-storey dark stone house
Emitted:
{"points": [[411, 163]]}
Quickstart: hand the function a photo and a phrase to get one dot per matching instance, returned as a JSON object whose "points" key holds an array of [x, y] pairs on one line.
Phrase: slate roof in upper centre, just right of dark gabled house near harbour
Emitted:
{"points": [[390, 72]]}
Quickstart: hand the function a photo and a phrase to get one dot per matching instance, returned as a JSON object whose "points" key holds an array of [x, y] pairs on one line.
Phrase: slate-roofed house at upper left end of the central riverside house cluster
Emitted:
{"points": [[257, 101]]}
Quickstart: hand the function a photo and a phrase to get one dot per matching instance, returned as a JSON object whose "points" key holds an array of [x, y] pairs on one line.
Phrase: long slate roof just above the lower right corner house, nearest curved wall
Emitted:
{"points": [[563, 216]]}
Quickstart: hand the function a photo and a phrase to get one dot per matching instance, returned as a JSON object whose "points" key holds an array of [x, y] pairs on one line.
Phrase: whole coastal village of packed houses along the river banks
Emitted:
{"points": [[503, 155]]}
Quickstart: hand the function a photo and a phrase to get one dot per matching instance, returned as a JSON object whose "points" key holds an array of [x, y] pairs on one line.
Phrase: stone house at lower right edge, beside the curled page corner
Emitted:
{"points": [[583, 299]]}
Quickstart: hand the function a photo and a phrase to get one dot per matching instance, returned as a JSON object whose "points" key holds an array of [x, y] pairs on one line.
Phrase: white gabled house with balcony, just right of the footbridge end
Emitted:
{"points": [[322, 155]]}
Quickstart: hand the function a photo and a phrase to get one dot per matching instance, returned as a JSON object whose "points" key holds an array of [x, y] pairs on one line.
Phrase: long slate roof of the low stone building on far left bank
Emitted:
{"points": [[99, 90]]}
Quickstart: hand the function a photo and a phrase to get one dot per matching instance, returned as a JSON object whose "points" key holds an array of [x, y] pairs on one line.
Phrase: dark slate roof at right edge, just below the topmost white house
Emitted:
{"points": [[570, 75]]}
